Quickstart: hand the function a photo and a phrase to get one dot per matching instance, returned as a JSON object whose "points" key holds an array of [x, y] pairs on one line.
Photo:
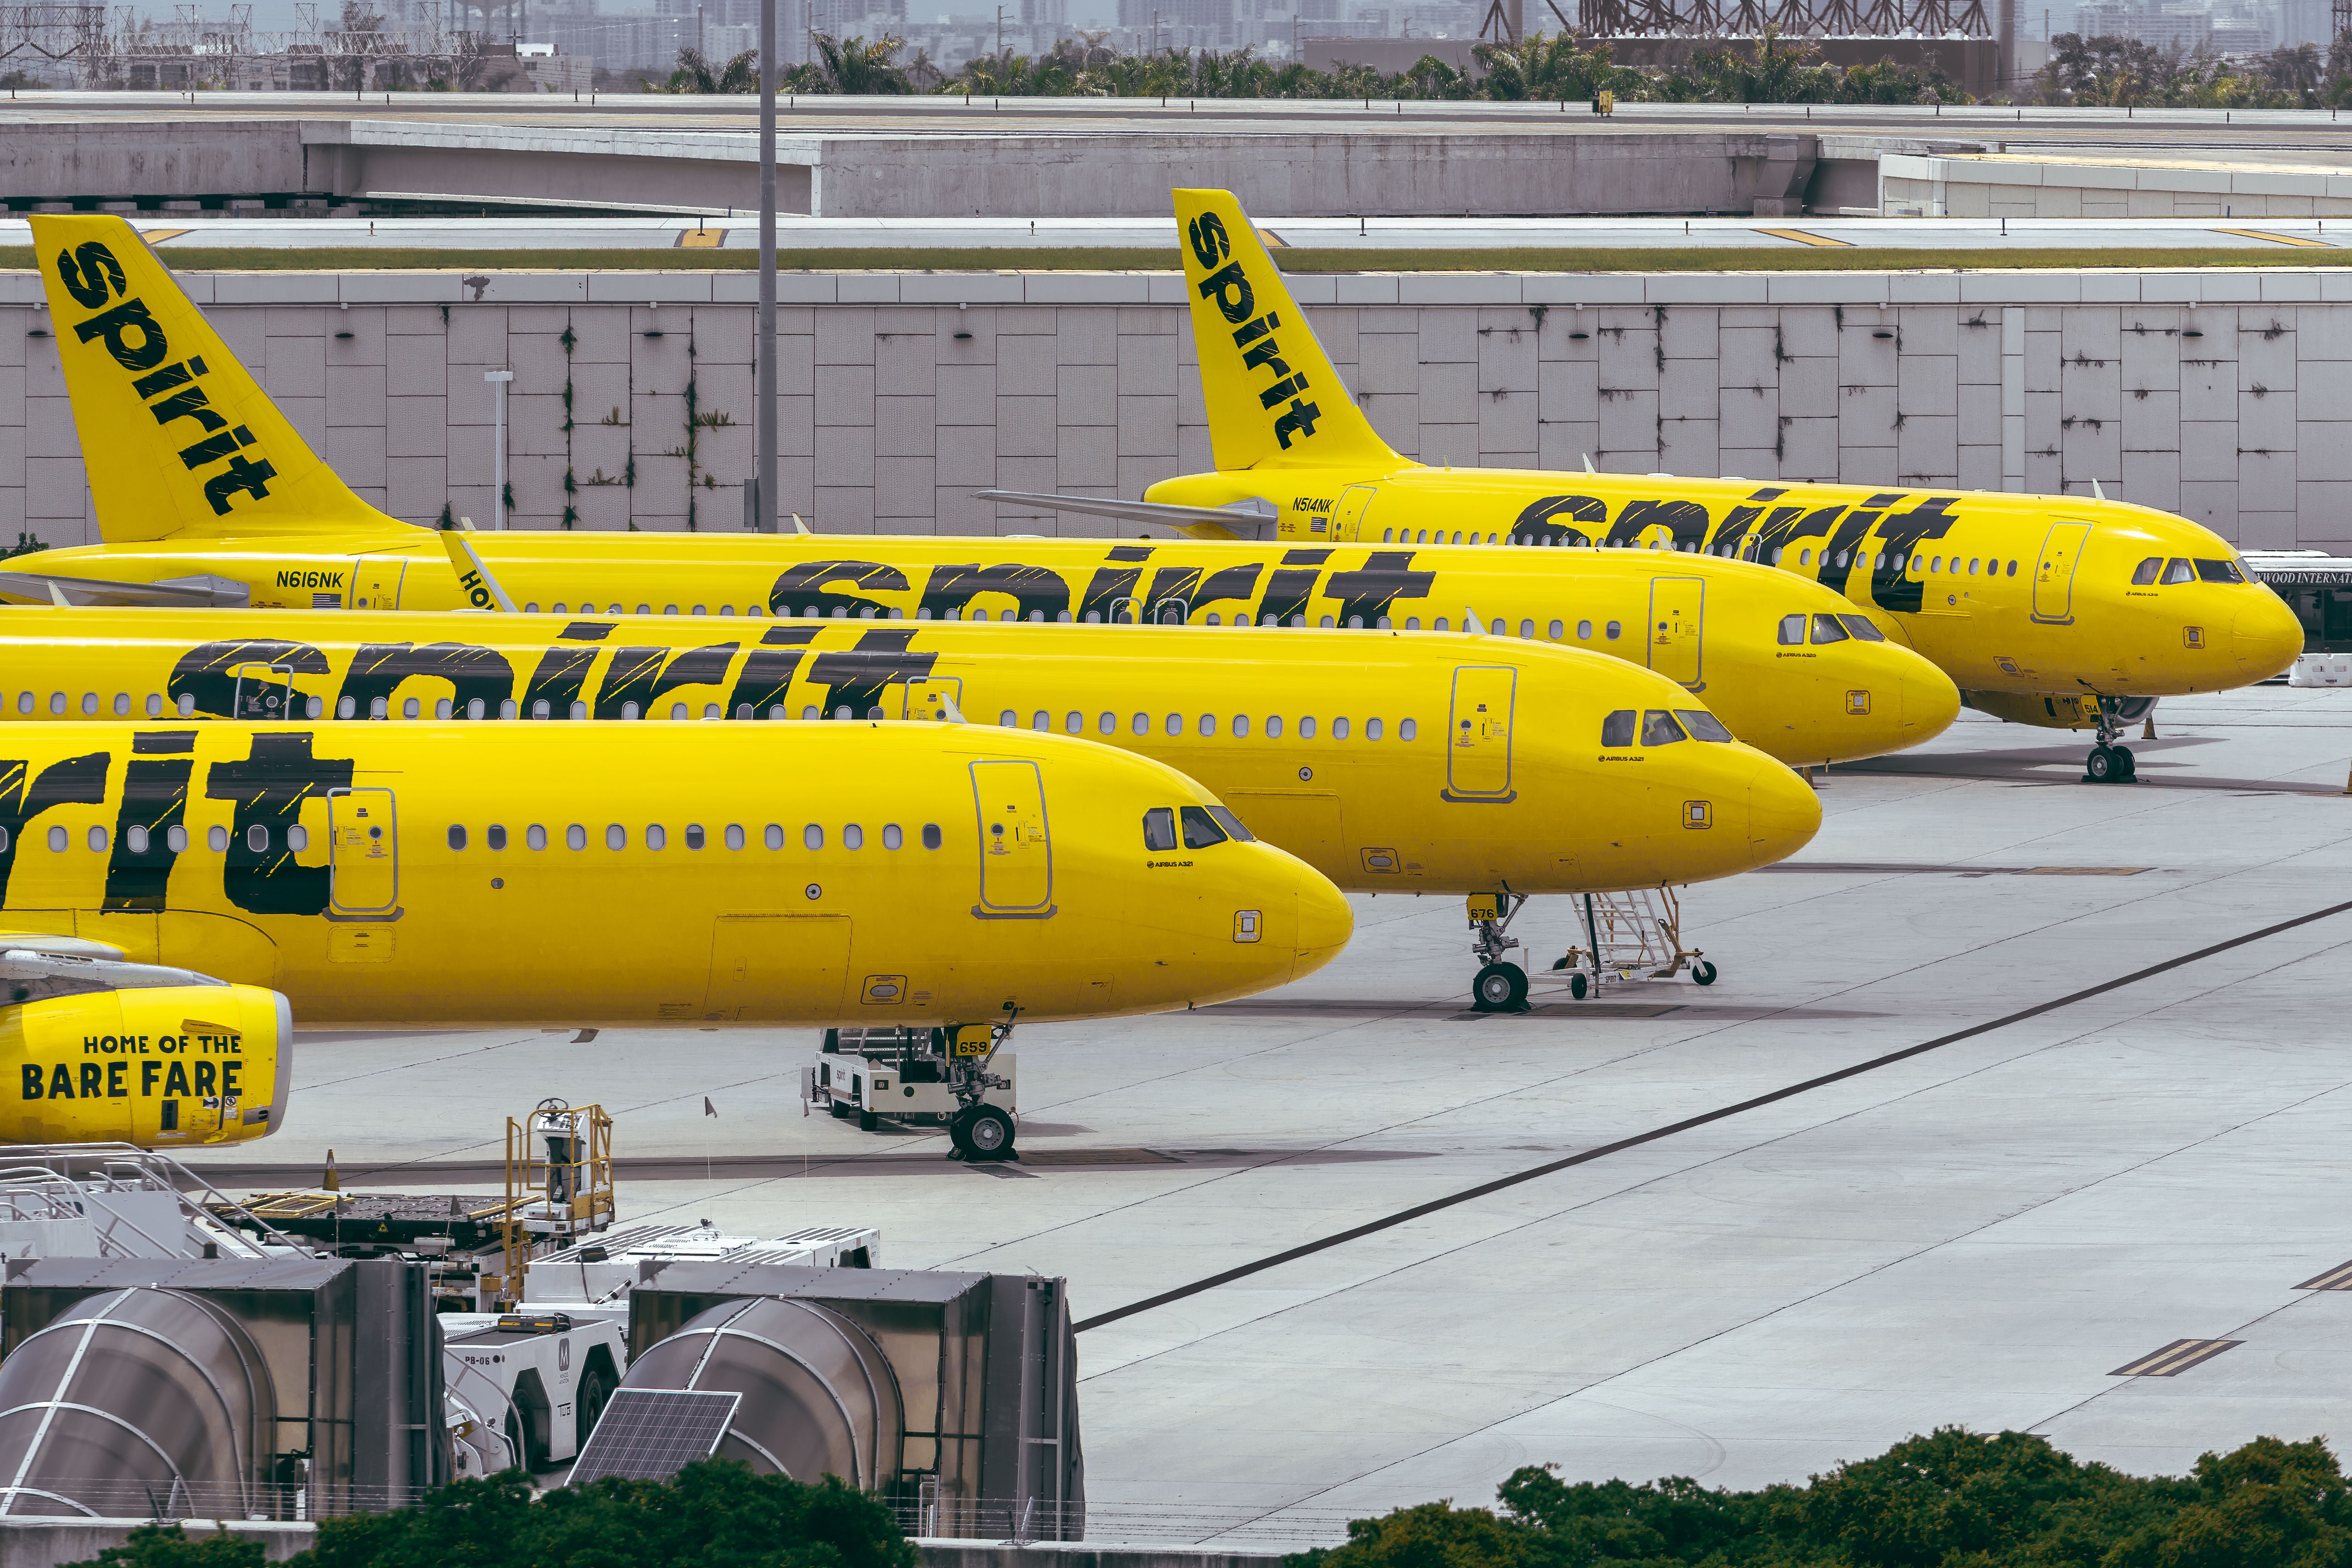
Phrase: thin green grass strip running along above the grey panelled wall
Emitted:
{"points": [[1109, 260]]}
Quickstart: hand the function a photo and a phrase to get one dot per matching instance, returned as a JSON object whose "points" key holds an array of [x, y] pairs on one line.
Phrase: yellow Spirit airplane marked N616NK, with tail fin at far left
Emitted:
{"points": [[208, 497]]}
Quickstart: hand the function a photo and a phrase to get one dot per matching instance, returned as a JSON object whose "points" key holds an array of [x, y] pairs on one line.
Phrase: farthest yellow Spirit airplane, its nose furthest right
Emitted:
{"points": [[2045, 610]]}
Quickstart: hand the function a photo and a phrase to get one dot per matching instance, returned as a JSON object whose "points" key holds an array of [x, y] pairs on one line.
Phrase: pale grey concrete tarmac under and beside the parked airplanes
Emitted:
{"points": [[2007, 1085]]}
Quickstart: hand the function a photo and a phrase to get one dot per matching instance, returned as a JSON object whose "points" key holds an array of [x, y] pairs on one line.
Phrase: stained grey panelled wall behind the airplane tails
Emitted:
{"points": [[2224, 396]]}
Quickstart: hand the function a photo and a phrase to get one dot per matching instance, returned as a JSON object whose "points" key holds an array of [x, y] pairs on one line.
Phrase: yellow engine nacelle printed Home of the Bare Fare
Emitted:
{"points": [[159, 1068]]}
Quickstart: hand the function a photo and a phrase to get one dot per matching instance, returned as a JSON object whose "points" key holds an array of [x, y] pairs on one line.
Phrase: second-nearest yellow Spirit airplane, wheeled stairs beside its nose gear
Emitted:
{"points": [[1391, 765]]}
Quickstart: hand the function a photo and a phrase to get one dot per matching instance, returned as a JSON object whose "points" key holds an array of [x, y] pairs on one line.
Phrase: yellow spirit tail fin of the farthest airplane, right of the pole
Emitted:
{"points": [[1271, 389]]}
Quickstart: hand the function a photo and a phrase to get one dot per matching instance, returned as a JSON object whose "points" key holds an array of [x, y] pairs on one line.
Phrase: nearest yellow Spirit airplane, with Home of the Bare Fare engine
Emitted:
{"points": [[436, 873]]}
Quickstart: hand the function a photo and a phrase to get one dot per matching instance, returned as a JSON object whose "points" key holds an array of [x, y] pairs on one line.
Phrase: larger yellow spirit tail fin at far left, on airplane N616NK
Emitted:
{"points": [[178, 436]]}
